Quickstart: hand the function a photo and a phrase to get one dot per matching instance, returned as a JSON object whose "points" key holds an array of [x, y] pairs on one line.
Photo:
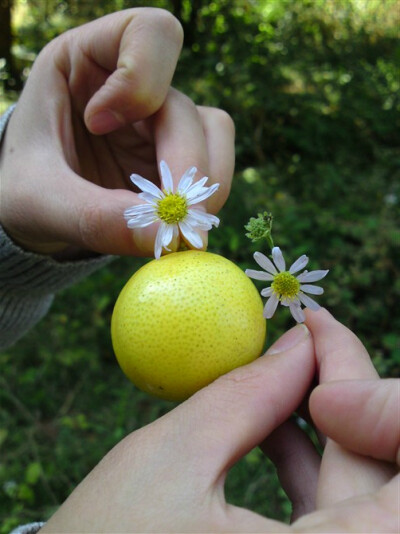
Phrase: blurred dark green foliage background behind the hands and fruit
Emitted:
{"points": [[313, 87]]}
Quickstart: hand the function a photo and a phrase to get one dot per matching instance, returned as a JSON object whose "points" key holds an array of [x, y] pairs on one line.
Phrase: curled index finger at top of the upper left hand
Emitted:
{"points": [[131, 57]]}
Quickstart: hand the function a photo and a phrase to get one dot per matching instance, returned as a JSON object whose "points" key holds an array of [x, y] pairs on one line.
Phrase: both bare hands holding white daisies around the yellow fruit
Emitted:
{"points": [[97, 107]]}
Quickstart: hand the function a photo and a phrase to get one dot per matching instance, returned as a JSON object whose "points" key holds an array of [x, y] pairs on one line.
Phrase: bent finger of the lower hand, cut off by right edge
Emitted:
{"points": [[361, 415]]}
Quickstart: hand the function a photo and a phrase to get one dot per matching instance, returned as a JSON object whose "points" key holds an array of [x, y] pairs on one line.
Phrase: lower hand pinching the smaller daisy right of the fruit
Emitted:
{"points": [[169, 476]]}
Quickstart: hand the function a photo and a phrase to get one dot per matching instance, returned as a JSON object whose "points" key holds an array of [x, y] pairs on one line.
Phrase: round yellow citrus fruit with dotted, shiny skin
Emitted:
{"points": [[183, 320]]}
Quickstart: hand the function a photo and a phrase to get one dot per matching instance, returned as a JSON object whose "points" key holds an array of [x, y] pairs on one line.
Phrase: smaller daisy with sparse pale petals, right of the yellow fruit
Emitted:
{"points": [[286, 288]]}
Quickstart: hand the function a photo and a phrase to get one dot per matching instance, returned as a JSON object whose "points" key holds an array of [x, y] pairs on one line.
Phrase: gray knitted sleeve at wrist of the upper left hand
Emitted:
{"points": [[28, 281]]}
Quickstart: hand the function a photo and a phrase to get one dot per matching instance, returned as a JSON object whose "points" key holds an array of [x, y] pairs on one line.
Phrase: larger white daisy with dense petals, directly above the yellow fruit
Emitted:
{"points": [[172, 209]]}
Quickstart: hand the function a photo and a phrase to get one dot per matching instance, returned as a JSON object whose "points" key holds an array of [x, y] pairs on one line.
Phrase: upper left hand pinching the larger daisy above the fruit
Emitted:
{"points": [[97, 107]]}
